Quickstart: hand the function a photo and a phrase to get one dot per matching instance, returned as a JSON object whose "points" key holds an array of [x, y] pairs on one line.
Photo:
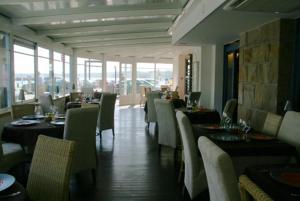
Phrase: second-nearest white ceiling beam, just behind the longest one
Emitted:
{"points": [[106, 29]]}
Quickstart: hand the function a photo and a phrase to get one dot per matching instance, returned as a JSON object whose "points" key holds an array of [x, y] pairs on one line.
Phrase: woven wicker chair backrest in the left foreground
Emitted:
{"points": [[50, 169]]}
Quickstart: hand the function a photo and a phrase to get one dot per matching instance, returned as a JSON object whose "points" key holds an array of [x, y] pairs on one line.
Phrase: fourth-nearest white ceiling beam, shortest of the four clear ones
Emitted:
{"points": [[121, 42]]}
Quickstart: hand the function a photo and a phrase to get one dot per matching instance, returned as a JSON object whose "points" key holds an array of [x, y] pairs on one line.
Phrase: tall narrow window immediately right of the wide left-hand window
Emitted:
{"points": [[44, 78]]}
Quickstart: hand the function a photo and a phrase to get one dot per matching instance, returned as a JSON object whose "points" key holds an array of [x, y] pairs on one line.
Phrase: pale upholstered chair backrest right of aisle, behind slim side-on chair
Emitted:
{"points": [[167, 123]]}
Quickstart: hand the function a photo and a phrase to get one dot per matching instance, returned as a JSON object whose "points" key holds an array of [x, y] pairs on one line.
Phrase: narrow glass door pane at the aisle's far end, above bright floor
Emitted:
{"points": [[126, 79]]}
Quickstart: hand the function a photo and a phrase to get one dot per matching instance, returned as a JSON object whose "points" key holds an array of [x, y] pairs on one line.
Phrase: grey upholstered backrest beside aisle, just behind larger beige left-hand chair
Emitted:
{"points": [[107, 111]]}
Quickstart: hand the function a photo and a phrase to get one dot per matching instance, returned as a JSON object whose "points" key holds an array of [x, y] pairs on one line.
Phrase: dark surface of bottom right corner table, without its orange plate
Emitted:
{"points": [[261, 175]]}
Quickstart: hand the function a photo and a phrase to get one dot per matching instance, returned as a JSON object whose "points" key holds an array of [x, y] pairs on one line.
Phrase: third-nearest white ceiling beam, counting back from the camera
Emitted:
{"points": [[108, 37]]}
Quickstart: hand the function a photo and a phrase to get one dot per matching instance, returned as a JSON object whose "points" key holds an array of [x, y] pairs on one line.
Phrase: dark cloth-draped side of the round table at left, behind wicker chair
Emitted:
{"points": [[27, 135]]}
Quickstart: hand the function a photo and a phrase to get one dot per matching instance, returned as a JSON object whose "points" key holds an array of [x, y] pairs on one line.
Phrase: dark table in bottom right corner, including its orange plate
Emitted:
{"points": [[281, 181]]}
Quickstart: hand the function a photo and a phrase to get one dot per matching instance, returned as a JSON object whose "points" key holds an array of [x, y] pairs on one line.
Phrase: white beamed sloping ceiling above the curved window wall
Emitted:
{"points": [[113, 27]]}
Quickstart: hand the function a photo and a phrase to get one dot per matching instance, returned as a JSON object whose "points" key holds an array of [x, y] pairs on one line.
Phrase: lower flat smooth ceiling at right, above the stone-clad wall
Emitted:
{"points": [[226, 23]]}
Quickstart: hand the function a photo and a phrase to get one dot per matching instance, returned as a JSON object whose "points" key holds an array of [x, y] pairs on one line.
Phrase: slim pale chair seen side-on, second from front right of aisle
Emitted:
{"points": [[194, 174]]}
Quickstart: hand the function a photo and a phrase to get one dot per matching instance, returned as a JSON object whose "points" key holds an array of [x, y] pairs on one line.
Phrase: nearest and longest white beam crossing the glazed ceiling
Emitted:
{"points": [[95, 15]]}
